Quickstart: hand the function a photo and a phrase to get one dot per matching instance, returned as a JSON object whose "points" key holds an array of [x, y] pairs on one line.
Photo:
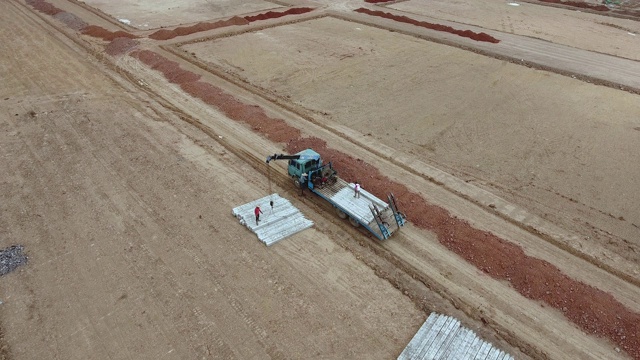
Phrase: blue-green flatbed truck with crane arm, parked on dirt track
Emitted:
{"points": [[307, 170]]}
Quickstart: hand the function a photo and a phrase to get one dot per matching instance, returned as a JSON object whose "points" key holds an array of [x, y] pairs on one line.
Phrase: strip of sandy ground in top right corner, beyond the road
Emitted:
{"points": [[610, 35]]}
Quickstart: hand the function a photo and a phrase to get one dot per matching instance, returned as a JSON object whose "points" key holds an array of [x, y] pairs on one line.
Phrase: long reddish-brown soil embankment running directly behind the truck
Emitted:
{"points": [[593, 310]]}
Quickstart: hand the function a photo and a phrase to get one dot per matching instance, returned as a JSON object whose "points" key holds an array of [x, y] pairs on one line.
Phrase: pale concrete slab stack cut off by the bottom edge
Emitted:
{"points": [[443, 337]]}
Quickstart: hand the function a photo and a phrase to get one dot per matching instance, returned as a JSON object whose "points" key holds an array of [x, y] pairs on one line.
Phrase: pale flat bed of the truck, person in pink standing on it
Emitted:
{"points": [[341, 195]]}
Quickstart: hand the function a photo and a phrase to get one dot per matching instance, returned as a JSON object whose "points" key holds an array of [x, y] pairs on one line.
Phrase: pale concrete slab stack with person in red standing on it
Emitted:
{"points": [[277, 223]]}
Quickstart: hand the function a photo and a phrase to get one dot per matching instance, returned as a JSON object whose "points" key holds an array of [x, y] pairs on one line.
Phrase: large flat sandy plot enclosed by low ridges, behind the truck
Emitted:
{"points": [[558, 142]]}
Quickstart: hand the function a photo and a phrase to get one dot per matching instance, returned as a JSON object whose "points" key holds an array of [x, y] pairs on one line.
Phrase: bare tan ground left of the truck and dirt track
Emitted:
{"points": [[123, 267]]}
